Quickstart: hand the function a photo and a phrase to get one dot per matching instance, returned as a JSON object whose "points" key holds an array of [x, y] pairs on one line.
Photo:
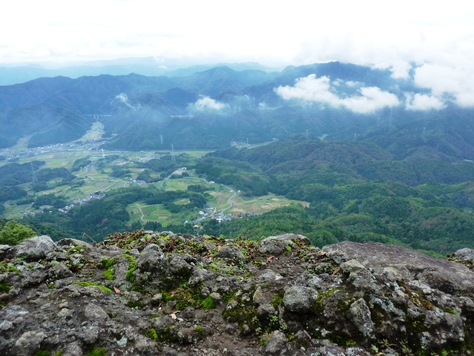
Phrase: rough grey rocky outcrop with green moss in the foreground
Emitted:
{"points": [[147, 293]]}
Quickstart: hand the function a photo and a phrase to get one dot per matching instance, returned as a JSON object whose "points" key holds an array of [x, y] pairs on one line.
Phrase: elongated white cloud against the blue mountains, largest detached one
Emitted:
{"points": [[319, 90]]}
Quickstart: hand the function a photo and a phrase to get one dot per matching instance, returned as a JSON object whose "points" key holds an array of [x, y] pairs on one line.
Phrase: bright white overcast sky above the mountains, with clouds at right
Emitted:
{"points": [[434, 37]]}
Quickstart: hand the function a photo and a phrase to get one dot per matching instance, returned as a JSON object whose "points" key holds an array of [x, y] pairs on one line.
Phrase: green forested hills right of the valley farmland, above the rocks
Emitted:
{"points": [[357, 191]]}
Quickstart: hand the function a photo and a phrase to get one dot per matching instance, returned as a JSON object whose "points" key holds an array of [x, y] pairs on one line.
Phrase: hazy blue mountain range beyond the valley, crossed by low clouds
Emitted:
{"points": [[211, 108]]}
